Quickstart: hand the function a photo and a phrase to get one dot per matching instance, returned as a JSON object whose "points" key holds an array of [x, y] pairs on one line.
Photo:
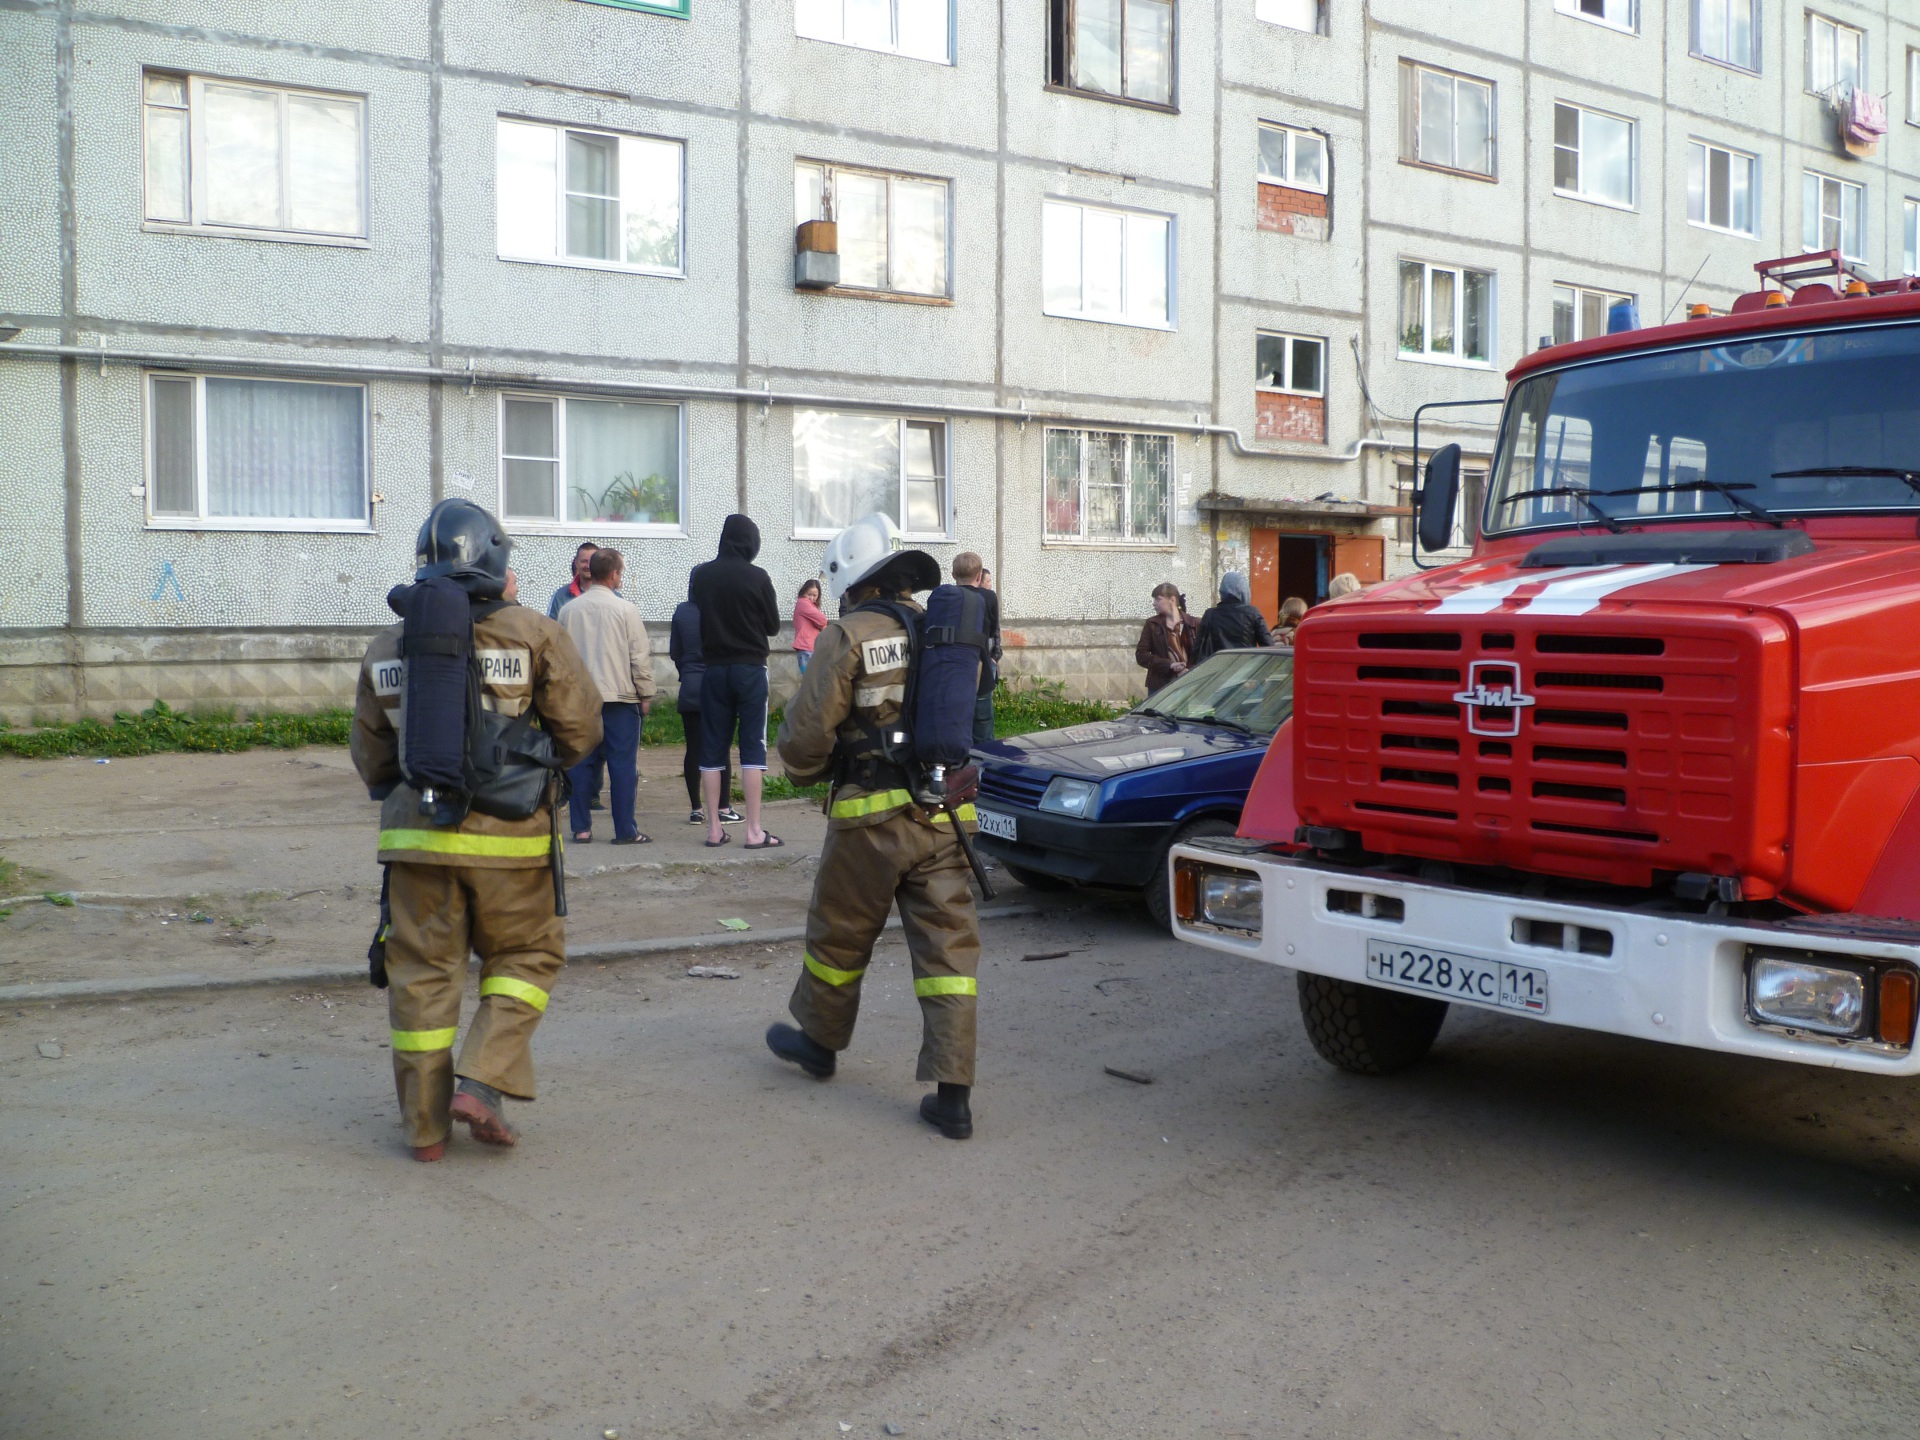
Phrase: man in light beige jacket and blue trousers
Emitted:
{"points": [[613, 640]]}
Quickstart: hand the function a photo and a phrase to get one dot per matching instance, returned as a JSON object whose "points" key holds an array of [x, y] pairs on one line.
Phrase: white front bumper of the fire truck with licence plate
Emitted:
{"points": [[1817, 996]]}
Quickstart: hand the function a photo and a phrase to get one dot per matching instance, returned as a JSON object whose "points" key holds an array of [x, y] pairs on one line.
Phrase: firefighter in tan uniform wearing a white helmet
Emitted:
{"points": [[882, 848]]}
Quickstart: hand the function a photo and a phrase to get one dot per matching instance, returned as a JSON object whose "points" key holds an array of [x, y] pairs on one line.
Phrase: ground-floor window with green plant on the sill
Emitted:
{"points": [[571, 462]]}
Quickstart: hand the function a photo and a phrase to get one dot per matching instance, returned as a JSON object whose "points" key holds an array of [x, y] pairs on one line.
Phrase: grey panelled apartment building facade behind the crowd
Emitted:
{"points": [[1107, 291]]}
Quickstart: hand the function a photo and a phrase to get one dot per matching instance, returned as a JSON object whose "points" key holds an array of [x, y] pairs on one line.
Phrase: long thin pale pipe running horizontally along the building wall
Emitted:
{"points": [[577, 385]]}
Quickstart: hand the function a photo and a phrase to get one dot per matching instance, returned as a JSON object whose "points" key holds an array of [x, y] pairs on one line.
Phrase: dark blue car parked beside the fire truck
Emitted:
{"points": [[1103, 804]]}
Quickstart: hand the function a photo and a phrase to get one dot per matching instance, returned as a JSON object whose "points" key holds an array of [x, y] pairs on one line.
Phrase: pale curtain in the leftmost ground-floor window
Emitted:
{"points": [[287, 452]]}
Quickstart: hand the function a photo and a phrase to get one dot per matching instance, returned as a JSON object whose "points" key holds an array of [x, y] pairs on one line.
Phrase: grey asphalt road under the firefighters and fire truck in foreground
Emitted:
{"points": [[208, 1226]]}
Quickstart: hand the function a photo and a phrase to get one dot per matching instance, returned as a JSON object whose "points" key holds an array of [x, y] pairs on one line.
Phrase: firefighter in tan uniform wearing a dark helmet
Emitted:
{"points": [[483, 884]]}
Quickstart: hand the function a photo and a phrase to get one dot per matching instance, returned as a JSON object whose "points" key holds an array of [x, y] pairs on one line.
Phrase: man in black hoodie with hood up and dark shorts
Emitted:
{"points": [[738, 615]]}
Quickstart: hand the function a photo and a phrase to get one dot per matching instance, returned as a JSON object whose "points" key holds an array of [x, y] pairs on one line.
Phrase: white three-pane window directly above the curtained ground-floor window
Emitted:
{"points": [[254, 160]]}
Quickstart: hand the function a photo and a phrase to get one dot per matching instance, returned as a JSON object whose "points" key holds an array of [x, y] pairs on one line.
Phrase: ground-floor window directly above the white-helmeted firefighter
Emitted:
{"points": [[852, 466]]}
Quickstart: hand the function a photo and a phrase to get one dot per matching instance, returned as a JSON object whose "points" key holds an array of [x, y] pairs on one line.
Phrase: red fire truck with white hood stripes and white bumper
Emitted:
{"points": [[1646, 763]]}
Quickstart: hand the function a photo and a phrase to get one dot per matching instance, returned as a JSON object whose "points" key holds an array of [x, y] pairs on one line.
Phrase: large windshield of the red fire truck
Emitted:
{"points": [[1765, 427]]}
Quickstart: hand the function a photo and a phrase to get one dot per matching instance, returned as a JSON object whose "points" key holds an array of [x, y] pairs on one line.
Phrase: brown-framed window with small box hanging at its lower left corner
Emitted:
{"points": [[892, 228]]}
